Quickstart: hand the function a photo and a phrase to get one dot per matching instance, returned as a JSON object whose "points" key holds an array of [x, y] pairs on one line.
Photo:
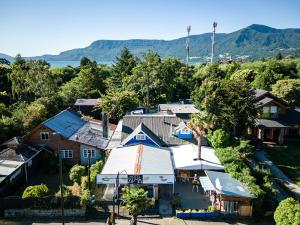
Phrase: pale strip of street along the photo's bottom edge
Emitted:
{"points": [[164, 221]]}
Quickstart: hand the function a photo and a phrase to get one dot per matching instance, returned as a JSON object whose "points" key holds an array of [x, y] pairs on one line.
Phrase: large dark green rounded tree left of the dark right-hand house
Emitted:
{"points": [[229, 104]]}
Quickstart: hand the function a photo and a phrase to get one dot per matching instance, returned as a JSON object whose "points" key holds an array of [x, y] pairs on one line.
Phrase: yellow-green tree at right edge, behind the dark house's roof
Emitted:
{"points": [[289, 90]]}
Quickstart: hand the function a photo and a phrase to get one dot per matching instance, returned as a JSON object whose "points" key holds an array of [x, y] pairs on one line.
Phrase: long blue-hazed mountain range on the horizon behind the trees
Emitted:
{"points": [[253, 42]]}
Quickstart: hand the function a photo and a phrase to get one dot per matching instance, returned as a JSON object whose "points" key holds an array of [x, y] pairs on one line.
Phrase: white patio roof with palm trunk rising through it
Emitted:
{"points": [[184, 155]]}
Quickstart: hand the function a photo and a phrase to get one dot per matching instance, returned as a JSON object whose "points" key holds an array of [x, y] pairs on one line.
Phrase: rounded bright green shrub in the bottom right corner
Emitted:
{"points": [[287, 212]]}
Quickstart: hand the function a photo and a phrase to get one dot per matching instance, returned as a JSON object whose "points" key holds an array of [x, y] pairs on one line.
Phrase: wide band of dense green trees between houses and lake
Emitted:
{"points": [[31, 91]]}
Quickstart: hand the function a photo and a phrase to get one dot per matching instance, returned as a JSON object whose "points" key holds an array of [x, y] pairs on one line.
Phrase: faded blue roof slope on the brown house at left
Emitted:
{"points": [[66, 123]]}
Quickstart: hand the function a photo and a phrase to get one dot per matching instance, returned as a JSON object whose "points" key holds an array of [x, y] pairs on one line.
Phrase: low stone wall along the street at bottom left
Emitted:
{"points": [[13, 213]]}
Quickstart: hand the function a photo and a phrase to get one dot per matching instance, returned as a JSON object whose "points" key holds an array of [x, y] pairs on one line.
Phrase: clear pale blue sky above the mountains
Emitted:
{"points": [[36, 27]]}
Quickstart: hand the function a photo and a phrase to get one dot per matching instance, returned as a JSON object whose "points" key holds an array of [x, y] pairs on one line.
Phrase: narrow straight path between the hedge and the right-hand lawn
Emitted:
{"points": [[261, 156]]}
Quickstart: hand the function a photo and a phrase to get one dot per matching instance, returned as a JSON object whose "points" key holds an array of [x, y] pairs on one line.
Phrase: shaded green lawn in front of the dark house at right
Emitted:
{"points": [[287, 158]]}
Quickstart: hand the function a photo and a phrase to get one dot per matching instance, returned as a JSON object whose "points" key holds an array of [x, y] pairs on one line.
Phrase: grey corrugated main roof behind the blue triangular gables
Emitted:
{"points": [[162, 126]]}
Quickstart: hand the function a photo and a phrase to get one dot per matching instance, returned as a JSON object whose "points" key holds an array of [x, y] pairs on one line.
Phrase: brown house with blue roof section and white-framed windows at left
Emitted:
{"points": [[75, 138]]}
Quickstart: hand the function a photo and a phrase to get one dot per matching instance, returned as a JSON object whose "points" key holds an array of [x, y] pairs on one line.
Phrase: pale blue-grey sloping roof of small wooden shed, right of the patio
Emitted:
{"points": [[226, 185]]}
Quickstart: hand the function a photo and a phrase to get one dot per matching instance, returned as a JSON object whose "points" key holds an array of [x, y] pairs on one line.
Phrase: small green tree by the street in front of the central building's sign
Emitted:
{"points": [[136, 201]]}
